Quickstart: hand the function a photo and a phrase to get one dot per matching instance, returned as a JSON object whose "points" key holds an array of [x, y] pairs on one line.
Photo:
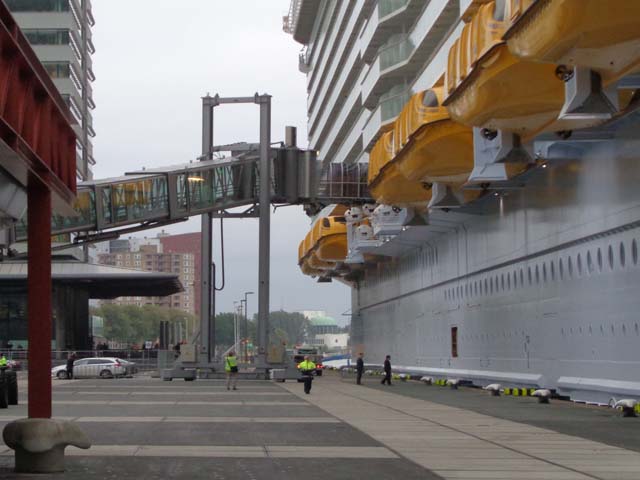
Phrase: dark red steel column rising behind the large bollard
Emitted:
{"points": [[39, 298]]}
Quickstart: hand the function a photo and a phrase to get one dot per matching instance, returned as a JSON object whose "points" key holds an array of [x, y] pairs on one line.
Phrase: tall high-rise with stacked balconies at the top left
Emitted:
{"points": [[60, 33]]}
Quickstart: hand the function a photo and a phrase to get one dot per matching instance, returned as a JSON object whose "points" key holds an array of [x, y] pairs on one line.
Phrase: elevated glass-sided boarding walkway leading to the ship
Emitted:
{"points": [[148, 198]]}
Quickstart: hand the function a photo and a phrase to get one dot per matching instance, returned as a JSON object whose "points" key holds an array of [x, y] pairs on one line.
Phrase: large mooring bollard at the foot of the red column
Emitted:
{"points": [[39, 443]]}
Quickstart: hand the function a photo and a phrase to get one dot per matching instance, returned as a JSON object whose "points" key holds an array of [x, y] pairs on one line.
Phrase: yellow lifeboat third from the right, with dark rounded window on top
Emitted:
{"points": [[431, 147]]}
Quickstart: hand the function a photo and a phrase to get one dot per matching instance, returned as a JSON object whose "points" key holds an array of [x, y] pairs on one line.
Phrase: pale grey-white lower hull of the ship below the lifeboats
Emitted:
{"points": [[543, 287]]}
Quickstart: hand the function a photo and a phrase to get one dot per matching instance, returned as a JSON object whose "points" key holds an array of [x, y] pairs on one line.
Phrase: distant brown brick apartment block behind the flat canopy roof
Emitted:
{"points": [[150, 257]]}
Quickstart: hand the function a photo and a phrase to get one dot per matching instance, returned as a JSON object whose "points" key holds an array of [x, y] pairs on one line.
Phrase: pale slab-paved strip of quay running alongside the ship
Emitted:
{"points": [[458, 442]]}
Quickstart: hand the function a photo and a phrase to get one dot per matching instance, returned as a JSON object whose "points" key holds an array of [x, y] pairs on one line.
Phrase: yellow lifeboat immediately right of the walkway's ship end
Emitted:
{"points": [[386, 184]]}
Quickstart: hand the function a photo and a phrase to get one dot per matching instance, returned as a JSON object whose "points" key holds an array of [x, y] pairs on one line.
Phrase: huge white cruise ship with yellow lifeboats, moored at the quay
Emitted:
{"points": [[500, 140]]}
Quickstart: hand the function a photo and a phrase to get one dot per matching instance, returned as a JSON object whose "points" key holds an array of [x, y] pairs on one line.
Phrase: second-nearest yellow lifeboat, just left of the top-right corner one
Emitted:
{"points": [[487, 86]]}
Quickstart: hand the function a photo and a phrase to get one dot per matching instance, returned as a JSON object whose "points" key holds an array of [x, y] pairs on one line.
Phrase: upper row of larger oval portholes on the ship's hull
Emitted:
{"points": [[534, 275]]}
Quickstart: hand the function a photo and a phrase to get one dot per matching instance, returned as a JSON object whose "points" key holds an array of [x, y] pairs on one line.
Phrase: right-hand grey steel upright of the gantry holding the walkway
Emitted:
{"points": [[265, 222]]}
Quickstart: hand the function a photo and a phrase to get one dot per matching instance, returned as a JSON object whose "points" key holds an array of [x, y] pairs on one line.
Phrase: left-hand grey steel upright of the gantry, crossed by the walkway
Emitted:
{"points": [[207, 328]]}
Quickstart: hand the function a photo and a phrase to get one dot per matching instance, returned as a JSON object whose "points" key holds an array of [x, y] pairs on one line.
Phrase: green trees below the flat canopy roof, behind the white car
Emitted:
{"points": [[133, 324]]}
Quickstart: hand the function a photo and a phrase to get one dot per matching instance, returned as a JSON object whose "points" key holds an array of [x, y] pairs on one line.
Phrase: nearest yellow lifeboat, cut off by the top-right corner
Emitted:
{"points": [[603, 35]]}
